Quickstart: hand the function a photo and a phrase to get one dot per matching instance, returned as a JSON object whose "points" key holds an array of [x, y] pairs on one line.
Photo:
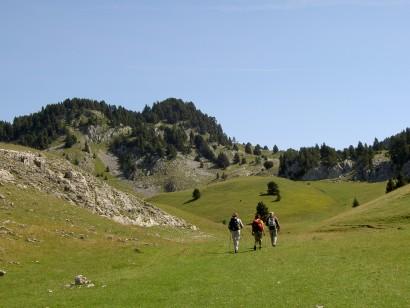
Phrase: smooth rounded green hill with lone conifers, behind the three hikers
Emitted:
{"points": [[302, 204]]}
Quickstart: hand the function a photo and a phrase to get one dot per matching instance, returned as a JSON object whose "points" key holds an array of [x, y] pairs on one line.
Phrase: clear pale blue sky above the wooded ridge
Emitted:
{"points": [[286, 72]]}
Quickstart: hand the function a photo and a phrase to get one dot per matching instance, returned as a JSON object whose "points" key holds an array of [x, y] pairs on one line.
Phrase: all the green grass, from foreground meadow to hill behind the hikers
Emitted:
{"points": [[327, 255]]}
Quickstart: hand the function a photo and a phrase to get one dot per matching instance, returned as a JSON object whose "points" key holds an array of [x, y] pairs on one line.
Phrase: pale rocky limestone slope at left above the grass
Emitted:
{"points": [[62, 179]]}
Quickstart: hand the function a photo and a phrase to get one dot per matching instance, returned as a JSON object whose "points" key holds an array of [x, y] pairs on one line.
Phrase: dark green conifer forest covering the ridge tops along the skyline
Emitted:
{"points": [[183, 126]]}
